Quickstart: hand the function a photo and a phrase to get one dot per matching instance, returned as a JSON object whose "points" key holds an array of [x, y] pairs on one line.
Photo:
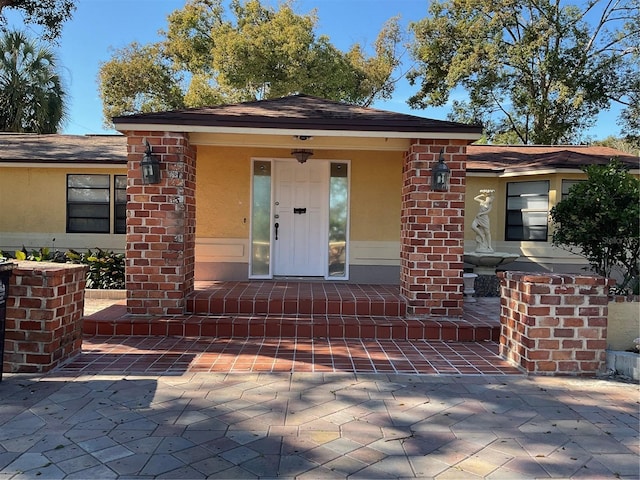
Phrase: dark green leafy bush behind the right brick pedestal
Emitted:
{"points": [[599, 217]]}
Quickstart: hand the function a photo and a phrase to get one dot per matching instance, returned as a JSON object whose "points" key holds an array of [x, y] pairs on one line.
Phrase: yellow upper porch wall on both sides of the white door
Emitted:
{"points": [[223, 187]]}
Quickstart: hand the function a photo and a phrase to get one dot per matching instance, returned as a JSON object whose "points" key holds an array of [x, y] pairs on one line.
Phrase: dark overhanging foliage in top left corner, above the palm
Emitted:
{"points": [[50, 14]]}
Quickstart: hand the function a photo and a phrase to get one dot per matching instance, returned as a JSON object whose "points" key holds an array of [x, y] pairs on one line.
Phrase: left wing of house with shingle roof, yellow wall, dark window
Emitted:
{"points": [[62, 191]]}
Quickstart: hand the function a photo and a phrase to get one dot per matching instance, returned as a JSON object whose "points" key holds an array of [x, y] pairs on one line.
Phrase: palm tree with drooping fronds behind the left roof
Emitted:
{"points": [[32, 99]]}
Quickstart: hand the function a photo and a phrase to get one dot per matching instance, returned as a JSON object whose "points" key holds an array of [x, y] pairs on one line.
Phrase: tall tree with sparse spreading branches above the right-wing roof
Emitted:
{"points": [[537, 71]]}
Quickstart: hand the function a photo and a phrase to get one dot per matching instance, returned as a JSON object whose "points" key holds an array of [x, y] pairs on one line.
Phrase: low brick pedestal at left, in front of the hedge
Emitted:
{"points": [[44, 315]]}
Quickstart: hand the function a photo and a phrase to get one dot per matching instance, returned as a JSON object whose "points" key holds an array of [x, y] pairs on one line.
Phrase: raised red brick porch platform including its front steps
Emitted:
{"points": [[300, 310]]}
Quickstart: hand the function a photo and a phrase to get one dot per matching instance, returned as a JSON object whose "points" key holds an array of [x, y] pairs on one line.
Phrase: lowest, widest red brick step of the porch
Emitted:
{"points": [[115, 321]]}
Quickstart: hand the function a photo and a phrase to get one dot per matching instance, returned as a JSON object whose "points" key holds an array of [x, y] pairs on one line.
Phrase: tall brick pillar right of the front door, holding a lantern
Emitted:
{"points": [[432, 236]]}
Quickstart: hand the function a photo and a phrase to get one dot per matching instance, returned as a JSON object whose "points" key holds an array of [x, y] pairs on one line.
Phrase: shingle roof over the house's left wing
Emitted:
{"points": [[30, 147]]}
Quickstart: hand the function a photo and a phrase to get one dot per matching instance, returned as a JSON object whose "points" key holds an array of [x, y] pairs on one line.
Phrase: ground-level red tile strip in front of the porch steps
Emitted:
{"points": [[177, 355]]}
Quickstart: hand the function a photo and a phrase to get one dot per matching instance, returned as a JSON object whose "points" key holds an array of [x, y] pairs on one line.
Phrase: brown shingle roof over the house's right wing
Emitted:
{"points": [[515, 158]]}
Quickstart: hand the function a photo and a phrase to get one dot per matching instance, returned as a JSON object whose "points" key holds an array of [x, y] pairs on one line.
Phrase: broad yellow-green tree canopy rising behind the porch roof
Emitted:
{"points": [[210, 54]]}
